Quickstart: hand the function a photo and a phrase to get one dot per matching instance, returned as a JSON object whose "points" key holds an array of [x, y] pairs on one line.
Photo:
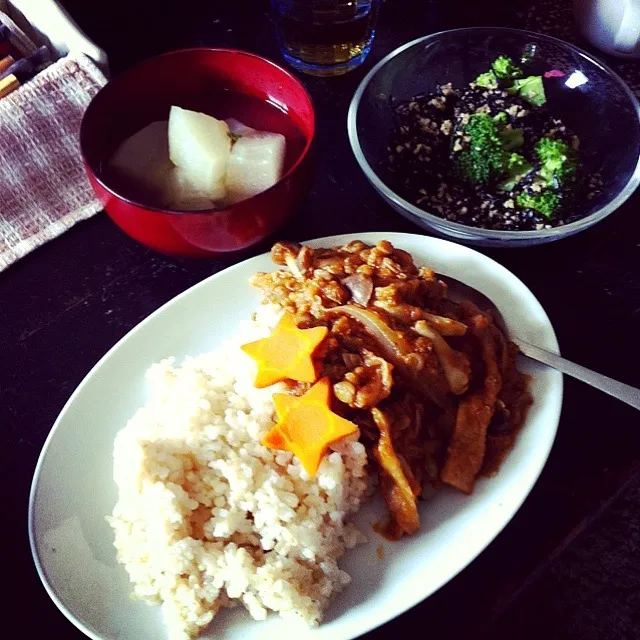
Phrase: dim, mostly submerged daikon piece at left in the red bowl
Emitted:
{"points": [[142, 161]]}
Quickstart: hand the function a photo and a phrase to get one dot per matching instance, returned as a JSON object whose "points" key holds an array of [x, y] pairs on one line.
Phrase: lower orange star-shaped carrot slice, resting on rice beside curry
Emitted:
{"points": [[306, 425]]}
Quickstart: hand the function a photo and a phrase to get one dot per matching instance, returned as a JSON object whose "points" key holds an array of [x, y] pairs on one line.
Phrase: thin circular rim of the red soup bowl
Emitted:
{"points": [[303, 154]]}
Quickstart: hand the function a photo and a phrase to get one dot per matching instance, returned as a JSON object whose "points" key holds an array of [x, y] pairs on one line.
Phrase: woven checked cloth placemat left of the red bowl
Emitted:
{"points": [[43, 186]]}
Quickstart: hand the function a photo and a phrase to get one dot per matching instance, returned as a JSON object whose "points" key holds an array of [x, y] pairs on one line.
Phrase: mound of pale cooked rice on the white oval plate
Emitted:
{"points": [[207, 516]]}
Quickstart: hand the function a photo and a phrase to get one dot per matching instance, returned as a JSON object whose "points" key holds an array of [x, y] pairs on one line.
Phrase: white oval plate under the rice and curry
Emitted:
{"points": [[73, 489]]}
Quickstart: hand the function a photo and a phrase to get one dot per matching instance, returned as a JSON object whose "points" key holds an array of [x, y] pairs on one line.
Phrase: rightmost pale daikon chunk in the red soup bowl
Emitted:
{"points": [[255, 164]]}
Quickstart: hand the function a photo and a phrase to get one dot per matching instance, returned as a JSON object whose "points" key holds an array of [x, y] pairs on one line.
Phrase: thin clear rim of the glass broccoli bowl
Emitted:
{"points": [[463, 229]]}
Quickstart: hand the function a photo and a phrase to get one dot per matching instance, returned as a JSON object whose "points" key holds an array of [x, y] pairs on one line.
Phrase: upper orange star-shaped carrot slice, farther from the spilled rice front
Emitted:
{"points": [[287, 354]]}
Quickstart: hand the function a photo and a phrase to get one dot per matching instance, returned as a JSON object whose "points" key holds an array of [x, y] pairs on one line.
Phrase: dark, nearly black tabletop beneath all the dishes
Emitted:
{"points": [[567, 566]]}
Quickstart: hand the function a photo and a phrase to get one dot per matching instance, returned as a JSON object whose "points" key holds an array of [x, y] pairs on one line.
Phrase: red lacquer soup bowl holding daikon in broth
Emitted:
{"points": [[189, 78]]}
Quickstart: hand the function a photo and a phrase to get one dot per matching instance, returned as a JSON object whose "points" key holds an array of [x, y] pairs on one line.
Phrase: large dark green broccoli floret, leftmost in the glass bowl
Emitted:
{"points": [[483, 156]]}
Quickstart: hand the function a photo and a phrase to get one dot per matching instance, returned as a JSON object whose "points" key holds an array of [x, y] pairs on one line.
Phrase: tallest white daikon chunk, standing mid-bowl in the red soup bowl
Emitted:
{"points": [[199, 144]]}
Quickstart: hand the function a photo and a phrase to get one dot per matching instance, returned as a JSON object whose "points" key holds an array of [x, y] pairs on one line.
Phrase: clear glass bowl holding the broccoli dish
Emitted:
{"points": [[592, 101]]}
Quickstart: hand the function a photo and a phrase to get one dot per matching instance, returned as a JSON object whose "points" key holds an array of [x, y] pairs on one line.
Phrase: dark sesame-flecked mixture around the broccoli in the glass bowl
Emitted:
{"points": [[429, 132]]}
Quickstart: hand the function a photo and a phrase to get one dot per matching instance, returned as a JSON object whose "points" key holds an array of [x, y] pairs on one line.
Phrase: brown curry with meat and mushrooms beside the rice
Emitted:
{"points": [[431, 383]]}
